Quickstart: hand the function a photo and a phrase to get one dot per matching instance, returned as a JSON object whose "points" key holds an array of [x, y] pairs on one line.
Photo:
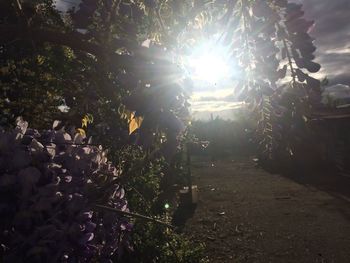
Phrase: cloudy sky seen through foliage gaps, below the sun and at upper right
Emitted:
{"points": [[332, 39]]}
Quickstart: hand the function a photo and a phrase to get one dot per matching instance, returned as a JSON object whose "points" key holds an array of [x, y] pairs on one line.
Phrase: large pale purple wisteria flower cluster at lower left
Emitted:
{"points": [[50, 183]]}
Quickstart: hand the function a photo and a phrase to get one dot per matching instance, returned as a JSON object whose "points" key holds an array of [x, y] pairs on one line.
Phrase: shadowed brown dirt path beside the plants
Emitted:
{"points": [[246, 214]]}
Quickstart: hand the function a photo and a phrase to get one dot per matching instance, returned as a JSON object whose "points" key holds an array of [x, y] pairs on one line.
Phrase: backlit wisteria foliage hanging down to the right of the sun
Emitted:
{"points": [[270, 43]]}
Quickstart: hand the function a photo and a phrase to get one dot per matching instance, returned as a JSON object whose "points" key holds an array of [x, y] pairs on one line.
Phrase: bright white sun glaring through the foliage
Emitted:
{"points": [[209, 63]]}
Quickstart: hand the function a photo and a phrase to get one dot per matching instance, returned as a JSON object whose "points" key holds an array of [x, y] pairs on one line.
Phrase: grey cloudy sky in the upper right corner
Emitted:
{"points": [[332, 34]]}
